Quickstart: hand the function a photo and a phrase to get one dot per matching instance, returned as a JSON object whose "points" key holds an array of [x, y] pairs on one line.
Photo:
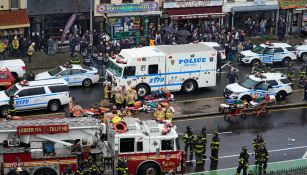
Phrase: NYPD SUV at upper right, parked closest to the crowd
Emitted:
{"points": [[269, 53]]}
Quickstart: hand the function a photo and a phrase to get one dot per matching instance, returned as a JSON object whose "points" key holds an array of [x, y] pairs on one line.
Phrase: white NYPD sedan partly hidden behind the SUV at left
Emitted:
{"points": [[75, 75]]}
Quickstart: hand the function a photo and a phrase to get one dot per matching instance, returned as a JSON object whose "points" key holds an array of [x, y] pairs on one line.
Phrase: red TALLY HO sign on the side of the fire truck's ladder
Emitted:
{"points": [[48, 129]]}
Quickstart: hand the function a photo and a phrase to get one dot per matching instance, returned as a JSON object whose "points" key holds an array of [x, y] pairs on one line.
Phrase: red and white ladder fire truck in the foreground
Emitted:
{"points": [[49, 146]]}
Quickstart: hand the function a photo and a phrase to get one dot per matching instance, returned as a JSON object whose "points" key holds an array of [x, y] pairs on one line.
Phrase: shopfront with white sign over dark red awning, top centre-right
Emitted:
{"points": [[197, 12]]}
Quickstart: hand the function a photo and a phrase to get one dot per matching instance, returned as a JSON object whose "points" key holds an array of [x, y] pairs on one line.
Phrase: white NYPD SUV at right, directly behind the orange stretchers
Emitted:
{"points": [[275, 84]]}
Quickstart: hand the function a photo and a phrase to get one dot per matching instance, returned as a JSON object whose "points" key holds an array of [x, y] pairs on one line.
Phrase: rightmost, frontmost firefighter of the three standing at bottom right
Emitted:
{"points": [[262, 158]]}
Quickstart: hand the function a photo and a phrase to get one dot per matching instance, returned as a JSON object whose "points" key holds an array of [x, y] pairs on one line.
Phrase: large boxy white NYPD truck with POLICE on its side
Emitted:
{"points": [[176, 67]]}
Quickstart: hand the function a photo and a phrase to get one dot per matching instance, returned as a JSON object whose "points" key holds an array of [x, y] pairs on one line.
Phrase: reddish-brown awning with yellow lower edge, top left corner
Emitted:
{"points": [[14, 19]]}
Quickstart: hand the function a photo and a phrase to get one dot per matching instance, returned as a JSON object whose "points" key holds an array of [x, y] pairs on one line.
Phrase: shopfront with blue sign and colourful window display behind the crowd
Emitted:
{"points": [[129, 20]]}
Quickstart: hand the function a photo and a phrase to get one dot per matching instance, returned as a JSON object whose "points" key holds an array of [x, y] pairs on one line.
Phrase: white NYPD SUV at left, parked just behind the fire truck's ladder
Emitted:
{"points": [[29, 95]]}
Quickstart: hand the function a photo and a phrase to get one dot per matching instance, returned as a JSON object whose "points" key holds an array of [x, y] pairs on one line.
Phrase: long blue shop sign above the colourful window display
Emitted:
{"points": [[112, 8]]}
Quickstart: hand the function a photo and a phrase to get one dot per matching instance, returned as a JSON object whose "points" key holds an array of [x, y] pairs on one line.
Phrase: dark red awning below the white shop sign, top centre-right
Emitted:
{"points": [[199, 12]]}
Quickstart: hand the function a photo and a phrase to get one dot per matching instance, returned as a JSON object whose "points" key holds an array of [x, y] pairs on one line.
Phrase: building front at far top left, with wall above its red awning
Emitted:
{"points": [[13, 18]]}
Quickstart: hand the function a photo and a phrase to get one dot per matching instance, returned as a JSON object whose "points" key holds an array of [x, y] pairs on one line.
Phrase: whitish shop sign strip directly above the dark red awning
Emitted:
{"points": [[187, 4]]}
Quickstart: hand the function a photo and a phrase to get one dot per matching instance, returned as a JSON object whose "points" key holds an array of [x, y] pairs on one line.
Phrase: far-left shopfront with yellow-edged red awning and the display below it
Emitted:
{"points": [[14, 22]]}
